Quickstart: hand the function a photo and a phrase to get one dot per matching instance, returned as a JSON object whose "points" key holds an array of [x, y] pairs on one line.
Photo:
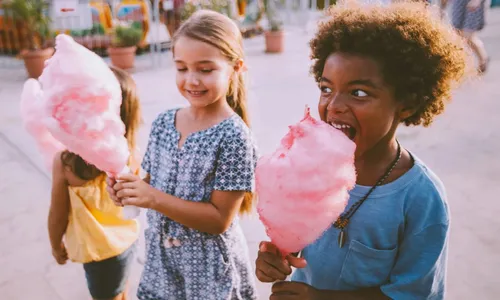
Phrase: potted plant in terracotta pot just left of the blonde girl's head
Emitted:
{"points": [[124, 45]]}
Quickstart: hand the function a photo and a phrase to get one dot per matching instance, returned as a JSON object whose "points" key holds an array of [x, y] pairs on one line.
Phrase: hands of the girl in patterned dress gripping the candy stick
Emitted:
{"points": [[130, 189]]}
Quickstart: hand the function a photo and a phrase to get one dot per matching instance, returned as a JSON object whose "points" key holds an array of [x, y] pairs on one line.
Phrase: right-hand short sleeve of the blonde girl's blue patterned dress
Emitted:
{"points": [[235, 167]]}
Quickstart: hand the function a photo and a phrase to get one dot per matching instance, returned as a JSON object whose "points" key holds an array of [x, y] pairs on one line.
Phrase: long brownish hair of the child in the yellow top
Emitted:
{"points": [[130, 113]]}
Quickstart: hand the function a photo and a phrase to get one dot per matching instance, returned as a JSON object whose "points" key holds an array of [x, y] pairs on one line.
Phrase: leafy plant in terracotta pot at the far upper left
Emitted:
{"points": [[31, 17]]}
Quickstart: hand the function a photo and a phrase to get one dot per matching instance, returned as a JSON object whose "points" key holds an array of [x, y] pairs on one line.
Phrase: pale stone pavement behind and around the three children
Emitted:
{"points": [[461, 147]]}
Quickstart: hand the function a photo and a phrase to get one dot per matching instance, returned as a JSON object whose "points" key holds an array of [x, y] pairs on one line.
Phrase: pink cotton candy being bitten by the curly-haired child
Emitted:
{"points": [[303, 186]]}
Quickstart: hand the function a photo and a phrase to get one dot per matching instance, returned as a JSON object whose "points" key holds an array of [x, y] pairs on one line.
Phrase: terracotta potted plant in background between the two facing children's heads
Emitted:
{"points": [[274, 36]]}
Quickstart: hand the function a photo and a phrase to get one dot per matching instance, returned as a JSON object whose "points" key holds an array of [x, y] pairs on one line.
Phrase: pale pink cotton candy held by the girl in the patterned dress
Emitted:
{"points": [[83, 98]]}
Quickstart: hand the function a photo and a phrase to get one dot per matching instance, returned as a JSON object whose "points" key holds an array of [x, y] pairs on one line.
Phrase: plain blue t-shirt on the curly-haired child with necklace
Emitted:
{"points": [[397, 240]]}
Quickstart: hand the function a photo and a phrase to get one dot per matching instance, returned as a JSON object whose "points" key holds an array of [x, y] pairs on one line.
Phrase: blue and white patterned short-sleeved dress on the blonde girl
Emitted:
{"points": [[184, 263]]}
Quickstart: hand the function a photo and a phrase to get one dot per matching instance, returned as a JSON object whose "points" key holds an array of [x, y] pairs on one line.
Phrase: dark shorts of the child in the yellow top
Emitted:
{"points": [[107, 279]]}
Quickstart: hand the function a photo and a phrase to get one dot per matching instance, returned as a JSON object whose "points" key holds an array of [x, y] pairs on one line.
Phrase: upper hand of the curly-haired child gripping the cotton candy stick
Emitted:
{"points": [[269, 265]]}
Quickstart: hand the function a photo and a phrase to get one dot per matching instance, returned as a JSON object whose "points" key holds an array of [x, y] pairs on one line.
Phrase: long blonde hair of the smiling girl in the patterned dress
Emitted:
{"points": [[222, 33]]}
